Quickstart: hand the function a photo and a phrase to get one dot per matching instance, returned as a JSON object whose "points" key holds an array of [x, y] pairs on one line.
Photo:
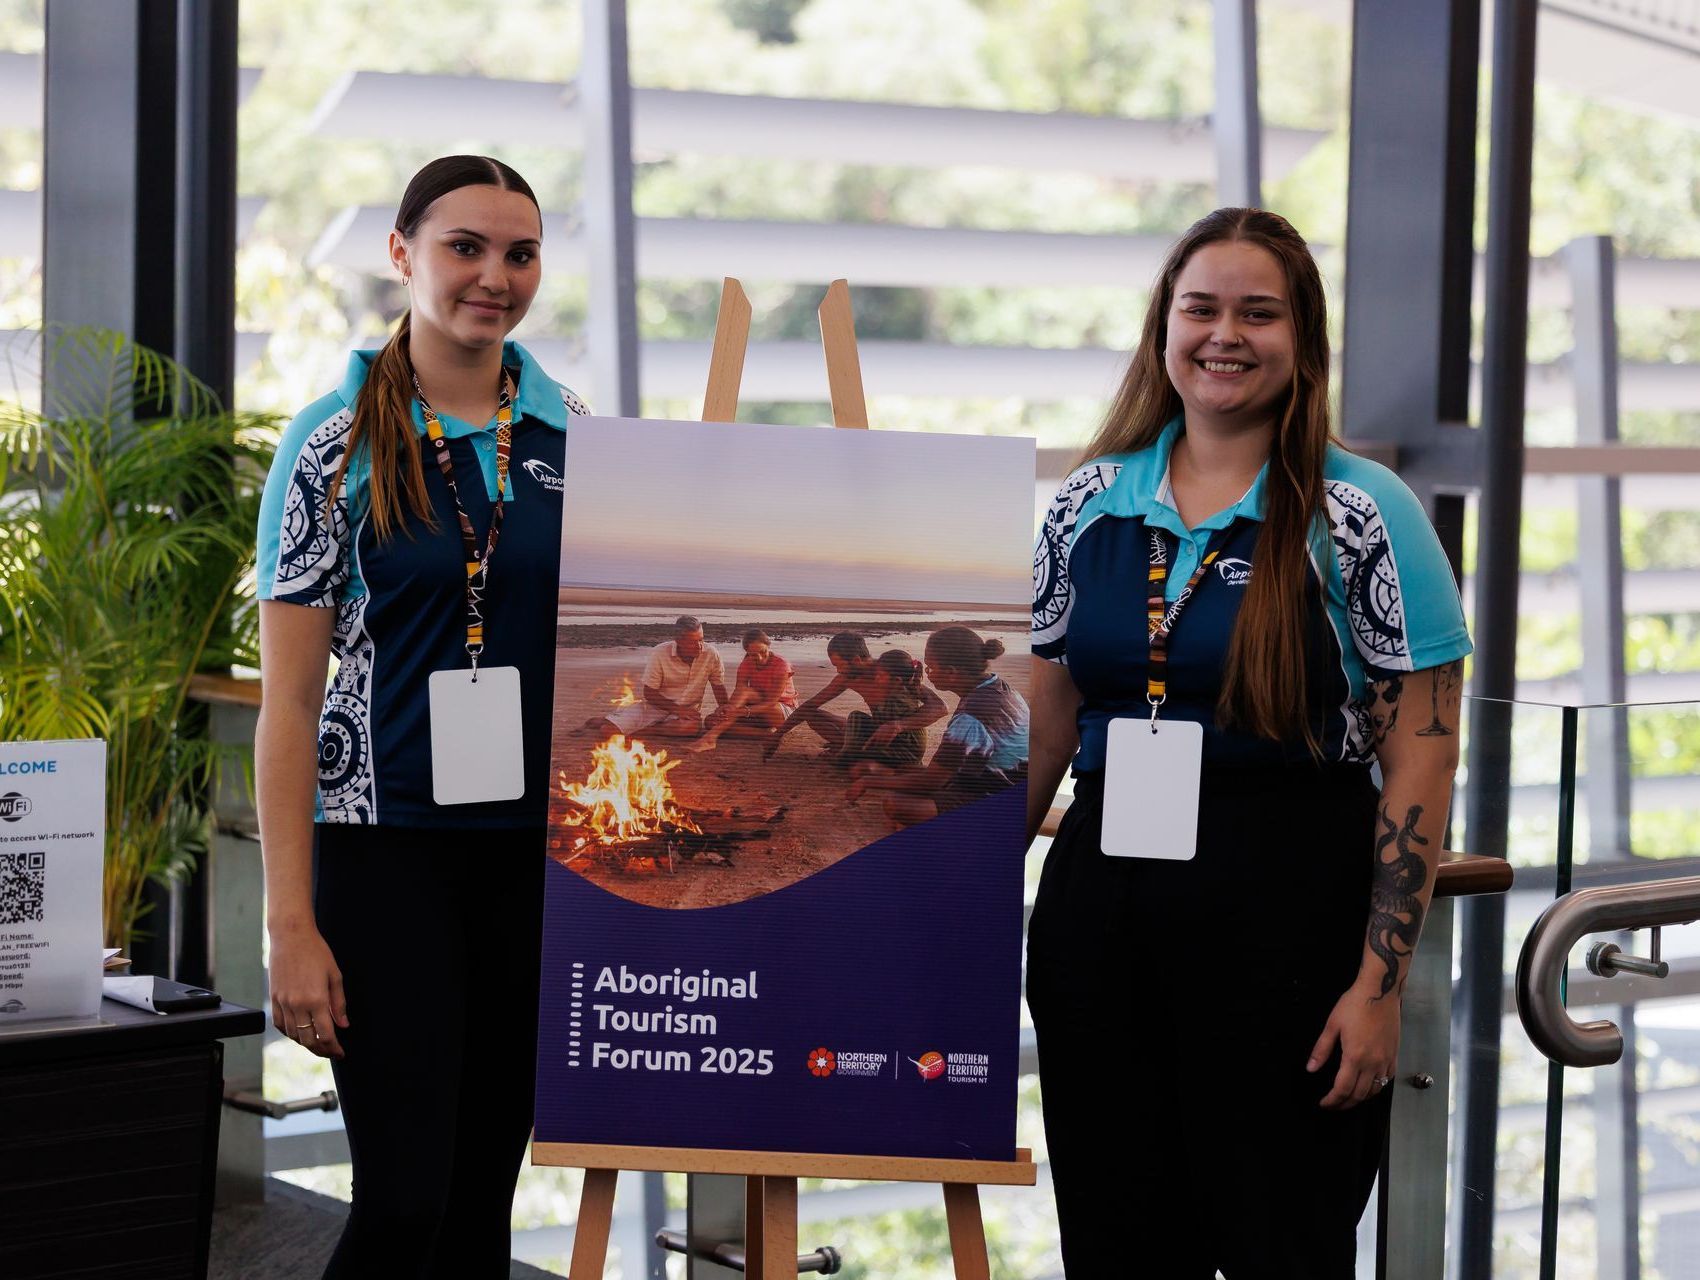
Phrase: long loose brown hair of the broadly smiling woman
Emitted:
{"points": [[1264, 688]]}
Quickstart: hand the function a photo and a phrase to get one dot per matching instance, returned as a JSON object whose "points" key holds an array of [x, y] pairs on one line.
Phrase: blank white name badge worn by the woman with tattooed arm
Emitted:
{"points": [[1152, 790]]}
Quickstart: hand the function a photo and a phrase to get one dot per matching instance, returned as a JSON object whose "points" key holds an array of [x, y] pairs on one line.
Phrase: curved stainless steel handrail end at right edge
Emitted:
{"points": [[1546, 956]]}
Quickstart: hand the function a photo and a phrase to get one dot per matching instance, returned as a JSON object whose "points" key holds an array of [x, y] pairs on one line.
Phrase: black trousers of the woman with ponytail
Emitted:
{"points": [[439, 937]]}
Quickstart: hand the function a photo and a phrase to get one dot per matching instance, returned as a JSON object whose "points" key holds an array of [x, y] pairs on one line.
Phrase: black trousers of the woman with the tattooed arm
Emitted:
{"points": [[1176, 1007]]}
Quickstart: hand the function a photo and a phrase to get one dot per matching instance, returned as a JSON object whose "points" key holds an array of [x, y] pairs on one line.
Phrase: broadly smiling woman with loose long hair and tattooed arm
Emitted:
{"points": [[1223, 572]]}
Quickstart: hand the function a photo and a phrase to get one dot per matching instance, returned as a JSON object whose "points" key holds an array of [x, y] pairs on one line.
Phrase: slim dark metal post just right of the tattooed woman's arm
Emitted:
{"points": [[1497, 582]]}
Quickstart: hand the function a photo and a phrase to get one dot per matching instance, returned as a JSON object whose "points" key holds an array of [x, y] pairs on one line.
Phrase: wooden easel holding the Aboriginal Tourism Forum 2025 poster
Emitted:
{"points": [[771, 1177]]}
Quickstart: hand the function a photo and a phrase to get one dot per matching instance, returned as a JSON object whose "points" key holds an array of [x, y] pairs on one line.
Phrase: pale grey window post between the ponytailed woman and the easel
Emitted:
{"points": [[604, 88]]}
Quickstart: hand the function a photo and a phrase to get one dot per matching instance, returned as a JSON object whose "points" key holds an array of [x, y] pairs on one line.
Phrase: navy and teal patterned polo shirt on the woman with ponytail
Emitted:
{"points": [[400, 604]]}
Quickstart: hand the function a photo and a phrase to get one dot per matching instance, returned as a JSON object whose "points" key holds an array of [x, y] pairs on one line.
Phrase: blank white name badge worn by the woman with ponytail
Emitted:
{"points": [[477, 750]]}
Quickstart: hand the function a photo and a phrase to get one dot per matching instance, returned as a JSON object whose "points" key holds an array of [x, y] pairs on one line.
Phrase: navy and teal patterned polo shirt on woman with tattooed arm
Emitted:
{"points": [[1383, 599]]}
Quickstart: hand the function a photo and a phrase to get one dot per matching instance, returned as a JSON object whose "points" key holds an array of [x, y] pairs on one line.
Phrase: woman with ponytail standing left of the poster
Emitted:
{"points": [[404, 880]]}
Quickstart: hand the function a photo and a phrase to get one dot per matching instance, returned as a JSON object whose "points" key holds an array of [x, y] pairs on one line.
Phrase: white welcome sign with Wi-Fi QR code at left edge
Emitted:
{"points": [[52, 844]]}
